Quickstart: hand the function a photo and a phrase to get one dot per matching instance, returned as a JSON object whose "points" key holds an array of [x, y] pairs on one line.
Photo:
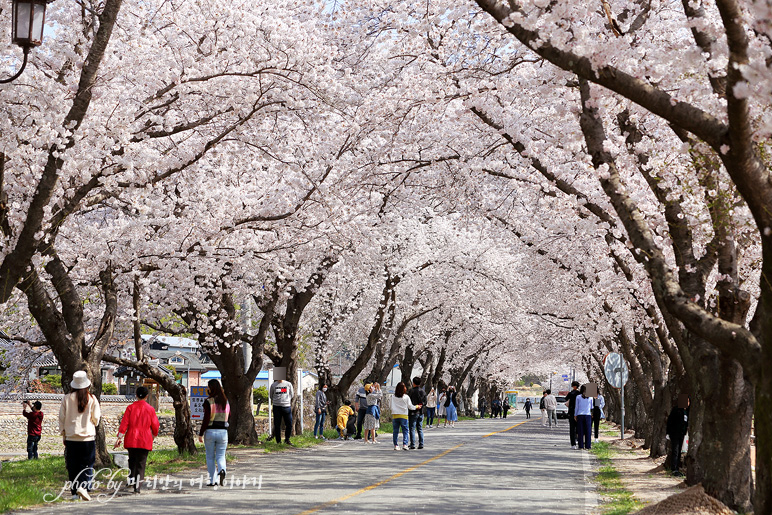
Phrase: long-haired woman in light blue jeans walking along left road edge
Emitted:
{"points": [[214, 431]]}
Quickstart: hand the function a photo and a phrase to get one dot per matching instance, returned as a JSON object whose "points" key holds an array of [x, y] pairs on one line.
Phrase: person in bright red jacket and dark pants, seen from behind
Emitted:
{"points": [[139, 426]]}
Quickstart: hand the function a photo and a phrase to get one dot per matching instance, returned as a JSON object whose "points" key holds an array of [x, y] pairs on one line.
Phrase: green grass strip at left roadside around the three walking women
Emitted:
{"points": [[30, 482]]}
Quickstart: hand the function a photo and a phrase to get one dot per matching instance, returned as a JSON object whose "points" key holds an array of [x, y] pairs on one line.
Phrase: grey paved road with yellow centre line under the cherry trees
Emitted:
{"points": [[480, 467]]}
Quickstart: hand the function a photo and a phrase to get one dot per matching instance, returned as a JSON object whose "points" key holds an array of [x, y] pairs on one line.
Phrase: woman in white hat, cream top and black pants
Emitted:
{"points": [[79, 414]]}
